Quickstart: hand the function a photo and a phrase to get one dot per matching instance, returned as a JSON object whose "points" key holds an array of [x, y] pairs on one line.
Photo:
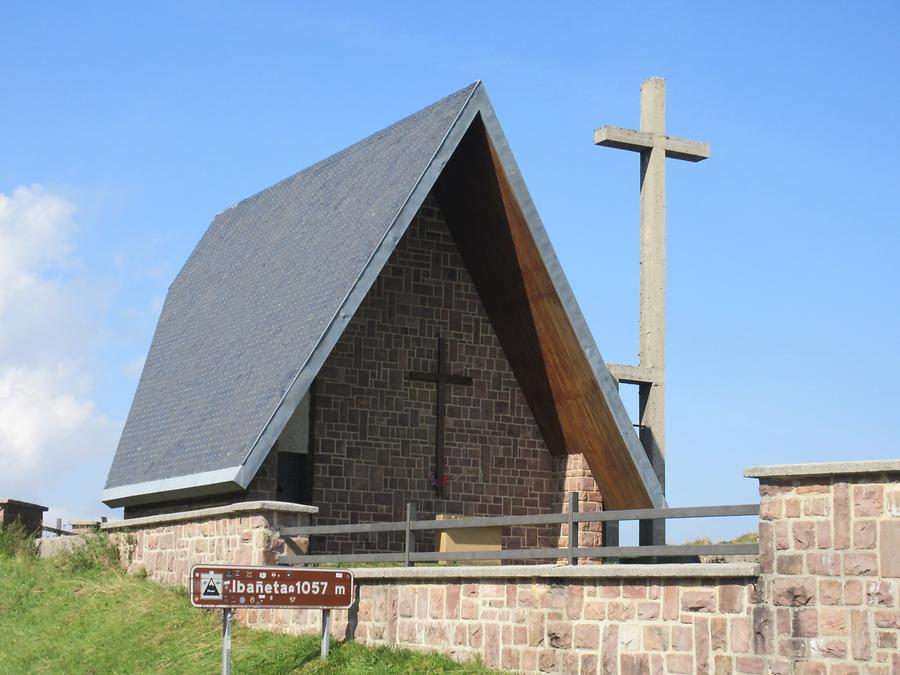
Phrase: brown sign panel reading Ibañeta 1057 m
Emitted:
{"points": [[250, 586]]}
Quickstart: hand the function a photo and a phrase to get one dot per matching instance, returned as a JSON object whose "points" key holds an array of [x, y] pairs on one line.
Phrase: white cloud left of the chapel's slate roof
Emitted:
{"points": [[50, 318]]}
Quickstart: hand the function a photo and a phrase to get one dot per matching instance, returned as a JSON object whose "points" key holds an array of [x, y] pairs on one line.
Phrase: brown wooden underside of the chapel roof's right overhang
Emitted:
{"points": [[530, 320]]}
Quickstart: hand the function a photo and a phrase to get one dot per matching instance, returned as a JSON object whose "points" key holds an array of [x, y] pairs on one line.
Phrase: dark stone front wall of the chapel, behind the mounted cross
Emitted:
{"points": [[374, 428]]}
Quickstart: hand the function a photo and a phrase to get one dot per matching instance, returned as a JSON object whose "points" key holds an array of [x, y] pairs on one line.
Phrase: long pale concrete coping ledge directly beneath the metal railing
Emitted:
{"points": [[658, 571]]}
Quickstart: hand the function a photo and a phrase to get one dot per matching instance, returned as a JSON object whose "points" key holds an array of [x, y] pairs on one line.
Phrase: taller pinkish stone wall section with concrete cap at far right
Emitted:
{"points": [[830, 563]]}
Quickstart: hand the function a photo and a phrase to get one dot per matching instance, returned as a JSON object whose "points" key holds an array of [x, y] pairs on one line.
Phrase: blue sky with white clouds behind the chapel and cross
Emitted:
{"points": [[126, 128]]}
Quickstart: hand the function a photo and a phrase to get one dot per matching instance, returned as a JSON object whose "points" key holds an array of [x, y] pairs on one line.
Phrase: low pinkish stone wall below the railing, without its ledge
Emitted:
{"points": [[627, 624]]}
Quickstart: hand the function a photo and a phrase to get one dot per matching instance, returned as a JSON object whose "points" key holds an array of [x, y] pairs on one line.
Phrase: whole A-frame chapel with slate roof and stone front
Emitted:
{"points": [[389, 325]]}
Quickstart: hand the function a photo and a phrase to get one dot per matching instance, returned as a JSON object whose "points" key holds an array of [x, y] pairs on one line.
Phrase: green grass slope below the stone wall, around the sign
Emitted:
{"points": [[79, 613]]}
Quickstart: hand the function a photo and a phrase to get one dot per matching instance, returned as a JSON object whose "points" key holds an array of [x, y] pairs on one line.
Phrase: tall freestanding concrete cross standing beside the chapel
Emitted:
{"points": [[654, 146]]}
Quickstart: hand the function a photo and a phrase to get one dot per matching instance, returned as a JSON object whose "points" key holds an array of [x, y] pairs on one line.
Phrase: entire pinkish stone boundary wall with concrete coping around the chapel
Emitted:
{"points": [[824, 599]]}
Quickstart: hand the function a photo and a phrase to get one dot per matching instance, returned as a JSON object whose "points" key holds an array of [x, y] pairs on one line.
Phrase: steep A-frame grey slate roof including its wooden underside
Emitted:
{"points": [[264, 297]]}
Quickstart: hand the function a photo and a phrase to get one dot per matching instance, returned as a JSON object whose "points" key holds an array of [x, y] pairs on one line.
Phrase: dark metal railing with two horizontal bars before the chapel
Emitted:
{"points": [[571, 553]]}
